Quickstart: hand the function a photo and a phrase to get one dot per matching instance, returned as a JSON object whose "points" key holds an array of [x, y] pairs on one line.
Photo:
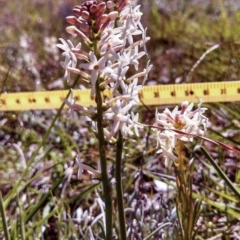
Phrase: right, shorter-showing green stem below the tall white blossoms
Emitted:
{"points": [[119, 191]]}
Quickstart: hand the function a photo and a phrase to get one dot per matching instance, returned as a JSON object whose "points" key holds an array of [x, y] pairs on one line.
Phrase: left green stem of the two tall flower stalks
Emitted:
{"points": [[103, 162]]}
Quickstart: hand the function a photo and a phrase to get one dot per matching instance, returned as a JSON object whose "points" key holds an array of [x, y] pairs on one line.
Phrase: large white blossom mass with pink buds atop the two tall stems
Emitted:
{"points": [[109, 30]]}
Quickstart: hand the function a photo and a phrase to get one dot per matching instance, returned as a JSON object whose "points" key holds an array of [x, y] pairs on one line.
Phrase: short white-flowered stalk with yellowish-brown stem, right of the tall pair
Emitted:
{"points": [[174, 130]]}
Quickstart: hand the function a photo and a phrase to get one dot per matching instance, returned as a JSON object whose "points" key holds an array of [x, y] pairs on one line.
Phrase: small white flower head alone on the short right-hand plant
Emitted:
{"points": [[181, 124]]}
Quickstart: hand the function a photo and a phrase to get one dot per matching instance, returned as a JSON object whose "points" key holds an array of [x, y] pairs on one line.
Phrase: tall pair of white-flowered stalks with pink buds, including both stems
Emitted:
{"points": [[109, 31]]}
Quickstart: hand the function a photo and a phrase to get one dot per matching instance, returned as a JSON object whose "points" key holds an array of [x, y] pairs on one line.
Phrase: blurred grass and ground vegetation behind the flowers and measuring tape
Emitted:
{"points": [[50, 205]]}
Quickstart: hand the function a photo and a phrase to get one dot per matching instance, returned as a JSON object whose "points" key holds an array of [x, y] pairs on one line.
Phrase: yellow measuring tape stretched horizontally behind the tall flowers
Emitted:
{"points": [[149, 95]]}
